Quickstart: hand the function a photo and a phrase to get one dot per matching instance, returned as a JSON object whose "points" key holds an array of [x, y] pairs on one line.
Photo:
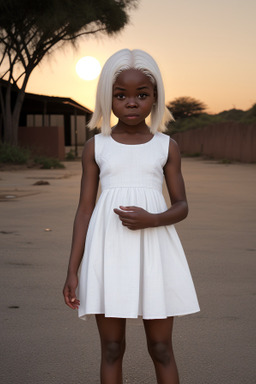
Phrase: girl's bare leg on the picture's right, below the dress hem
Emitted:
{"points": [[159, 340]]}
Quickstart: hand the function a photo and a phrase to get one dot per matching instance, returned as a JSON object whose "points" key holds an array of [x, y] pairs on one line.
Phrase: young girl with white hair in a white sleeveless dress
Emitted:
{"points": [[133, 263]]}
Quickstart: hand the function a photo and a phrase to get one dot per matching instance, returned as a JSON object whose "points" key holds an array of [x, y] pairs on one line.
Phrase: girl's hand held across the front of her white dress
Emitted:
{"points": [[135, 217]]}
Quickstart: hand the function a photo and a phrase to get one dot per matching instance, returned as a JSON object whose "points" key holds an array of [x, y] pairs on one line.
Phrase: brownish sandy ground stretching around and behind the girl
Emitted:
{"points": [[42, 341]]}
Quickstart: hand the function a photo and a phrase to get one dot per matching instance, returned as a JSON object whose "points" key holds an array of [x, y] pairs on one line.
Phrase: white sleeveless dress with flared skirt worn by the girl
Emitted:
{"points": [[127, 273]]}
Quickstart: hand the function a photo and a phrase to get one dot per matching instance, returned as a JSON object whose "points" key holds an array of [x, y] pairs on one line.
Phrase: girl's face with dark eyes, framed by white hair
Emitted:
{"points": [[133, 97]]}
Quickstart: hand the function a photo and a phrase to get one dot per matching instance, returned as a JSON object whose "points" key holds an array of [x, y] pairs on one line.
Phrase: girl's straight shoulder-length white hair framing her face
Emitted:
{"points": [[123, 60]]}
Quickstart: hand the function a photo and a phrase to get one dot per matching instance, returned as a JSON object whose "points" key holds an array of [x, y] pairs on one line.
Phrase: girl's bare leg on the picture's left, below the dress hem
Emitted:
{"points": [[112, 336]]}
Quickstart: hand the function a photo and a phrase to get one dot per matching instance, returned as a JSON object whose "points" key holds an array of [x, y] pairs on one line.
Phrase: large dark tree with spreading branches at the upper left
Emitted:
{"points": [[32, 29]]}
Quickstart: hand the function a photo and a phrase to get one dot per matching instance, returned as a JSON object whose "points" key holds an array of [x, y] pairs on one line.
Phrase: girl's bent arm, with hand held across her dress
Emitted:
{"points": [[138, 218]]}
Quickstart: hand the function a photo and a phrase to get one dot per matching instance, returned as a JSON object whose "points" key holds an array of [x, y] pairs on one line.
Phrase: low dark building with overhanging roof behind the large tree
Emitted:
{"points": [[41, 115]]}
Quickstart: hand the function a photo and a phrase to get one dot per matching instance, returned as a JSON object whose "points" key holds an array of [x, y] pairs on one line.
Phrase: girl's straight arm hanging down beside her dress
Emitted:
{"points": [[88, 193]]}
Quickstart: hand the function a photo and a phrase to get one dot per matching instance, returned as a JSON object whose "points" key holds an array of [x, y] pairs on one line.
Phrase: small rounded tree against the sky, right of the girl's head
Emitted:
{"points": [[186, 106]]}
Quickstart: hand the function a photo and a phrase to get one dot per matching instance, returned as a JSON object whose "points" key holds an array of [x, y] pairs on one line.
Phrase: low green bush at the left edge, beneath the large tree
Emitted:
{"points": [[13, 154]]}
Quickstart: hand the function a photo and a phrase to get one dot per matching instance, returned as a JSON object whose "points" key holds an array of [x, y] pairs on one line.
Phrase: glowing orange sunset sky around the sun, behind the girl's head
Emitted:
{"points": [[205, 49]]}
